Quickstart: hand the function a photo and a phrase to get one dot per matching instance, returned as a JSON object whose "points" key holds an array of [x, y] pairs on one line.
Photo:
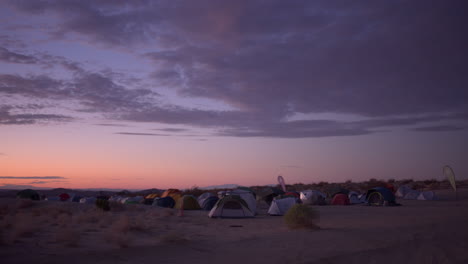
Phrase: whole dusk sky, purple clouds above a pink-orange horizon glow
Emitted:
{"points": [[177, 94]]}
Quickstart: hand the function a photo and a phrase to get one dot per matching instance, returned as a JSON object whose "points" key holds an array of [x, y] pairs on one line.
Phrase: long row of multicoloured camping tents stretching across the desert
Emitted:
{"points": [[242, 202]]}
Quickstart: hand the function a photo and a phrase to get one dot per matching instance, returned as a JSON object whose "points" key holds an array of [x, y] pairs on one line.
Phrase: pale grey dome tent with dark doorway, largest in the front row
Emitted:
{"points": [[231, 206]]}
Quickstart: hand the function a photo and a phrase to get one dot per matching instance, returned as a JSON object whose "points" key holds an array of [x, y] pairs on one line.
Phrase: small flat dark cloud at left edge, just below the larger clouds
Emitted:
{"points": [[7, 118]]}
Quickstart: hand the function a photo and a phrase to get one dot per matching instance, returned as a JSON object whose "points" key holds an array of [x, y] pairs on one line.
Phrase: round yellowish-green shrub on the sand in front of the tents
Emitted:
{"points": [[301, 216]]}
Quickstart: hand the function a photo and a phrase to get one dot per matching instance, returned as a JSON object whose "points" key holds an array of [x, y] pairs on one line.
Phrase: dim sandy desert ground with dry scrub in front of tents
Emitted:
{"points": [[55, 232]]}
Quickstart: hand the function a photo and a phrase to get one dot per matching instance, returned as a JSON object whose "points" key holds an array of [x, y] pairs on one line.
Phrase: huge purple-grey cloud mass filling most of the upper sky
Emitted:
{"points": [[393, 62]]}
